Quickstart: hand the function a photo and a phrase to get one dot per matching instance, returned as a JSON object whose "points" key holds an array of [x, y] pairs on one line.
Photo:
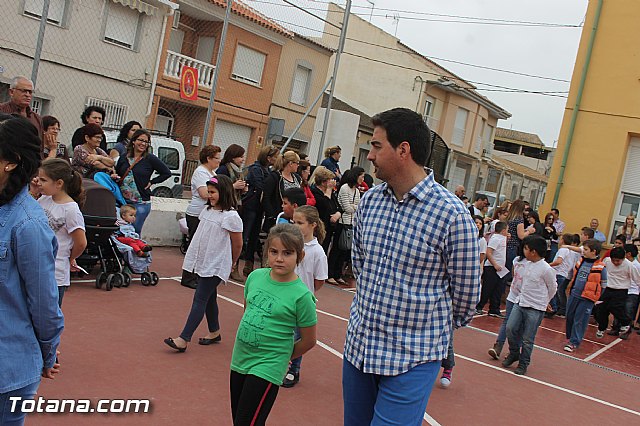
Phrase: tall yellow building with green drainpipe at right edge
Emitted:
{"points": [[596, 172]]}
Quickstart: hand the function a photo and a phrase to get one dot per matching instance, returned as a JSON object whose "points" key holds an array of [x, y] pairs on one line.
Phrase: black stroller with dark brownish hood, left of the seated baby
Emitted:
{"points": [[99, 212]]}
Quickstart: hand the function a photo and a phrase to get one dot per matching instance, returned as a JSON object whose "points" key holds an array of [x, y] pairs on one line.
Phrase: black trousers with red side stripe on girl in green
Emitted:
{"points": [[251, 399]]}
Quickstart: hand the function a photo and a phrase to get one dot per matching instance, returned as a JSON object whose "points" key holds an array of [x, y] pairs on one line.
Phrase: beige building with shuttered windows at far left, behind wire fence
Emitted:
{"points": [[95, 52]]}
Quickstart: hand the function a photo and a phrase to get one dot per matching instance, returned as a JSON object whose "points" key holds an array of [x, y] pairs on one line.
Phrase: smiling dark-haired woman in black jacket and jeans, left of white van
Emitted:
{"points": [[135, 170]]}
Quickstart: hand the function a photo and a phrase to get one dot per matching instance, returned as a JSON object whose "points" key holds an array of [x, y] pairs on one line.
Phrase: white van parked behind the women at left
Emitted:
{"points": [[171, 152]]}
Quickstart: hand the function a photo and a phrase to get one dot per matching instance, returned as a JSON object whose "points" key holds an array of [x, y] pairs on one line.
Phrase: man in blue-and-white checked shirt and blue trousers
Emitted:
{"points": [[415, 257]]}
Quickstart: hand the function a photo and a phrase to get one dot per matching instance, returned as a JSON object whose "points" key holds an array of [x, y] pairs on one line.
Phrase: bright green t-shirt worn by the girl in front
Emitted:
{"points": [[264, 342]]}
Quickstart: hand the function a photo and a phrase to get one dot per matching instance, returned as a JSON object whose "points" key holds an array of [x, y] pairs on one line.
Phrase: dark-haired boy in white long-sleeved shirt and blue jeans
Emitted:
{"points": [[538, 287]]}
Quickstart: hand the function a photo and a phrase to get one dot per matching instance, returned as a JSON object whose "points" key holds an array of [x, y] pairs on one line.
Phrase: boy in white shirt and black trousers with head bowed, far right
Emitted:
{"points": [[620, 273]]}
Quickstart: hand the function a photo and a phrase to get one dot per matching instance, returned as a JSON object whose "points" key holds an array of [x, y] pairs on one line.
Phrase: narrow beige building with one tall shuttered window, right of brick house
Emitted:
{"points": [[302, 74]]}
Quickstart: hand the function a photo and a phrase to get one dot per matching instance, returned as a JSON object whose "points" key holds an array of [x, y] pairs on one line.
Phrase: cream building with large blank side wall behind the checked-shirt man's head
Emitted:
{"points": [[378, 72]]}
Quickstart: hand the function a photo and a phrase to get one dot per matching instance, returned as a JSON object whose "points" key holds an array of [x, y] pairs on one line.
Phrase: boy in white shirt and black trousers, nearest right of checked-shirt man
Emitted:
{"points": [[491, 281]]}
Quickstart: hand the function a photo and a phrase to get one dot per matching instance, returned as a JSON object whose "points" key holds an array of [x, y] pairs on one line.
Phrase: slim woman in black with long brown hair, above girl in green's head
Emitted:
{"points": [[252, 212]]}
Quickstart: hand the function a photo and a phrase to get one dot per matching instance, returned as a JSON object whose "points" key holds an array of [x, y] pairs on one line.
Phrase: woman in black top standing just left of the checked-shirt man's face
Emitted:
{"points": [[323, 188]]}
